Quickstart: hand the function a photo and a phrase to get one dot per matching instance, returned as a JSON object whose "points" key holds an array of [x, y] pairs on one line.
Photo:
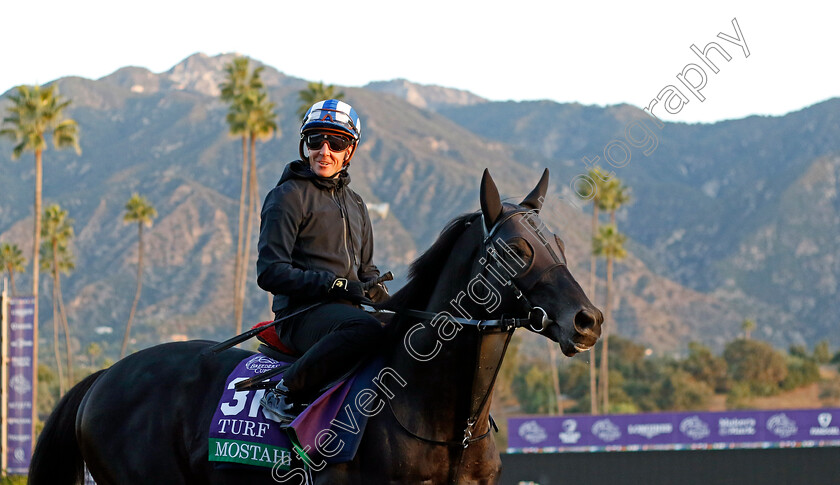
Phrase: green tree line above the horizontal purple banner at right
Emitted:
{"points": [[640, 382]]}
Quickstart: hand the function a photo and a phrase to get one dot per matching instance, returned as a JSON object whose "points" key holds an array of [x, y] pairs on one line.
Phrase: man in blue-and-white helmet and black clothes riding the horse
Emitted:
{"points": [[316, 245]]}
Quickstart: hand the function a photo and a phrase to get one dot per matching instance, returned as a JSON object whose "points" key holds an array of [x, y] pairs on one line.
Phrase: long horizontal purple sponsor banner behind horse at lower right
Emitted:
{"points": [[630, 432]]}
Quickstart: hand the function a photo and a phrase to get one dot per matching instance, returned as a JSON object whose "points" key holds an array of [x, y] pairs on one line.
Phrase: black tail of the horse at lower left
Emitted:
{"points": [[57, 458]]}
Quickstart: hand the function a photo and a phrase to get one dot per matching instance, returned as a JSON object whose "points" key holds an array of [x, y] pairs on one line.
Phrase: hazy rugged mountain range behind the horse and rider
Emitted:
{"points": [[731, 220]]}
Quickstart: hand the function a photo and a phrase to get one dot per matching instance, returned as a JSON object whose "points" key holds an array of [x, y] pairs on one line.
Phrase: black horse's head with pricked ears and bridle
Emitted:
{"points": [[522, 251]]}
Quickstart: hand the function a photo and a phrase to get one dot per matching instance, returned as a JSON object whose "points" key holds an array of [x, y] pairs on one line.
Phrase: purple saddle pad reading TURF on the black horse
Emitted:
{"points": [[241, 433]]}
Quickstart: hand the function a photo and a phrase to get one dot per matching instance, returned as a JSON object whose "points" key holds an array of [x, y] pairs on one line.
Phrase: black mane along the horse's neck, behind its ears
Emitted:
{"points": [[425, 270]]}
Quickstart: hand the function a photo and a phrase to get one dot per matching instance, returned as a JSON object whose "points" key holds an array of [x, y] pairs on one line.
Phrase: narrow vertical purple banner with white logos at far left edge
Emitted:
{"points": [[21, 378]]}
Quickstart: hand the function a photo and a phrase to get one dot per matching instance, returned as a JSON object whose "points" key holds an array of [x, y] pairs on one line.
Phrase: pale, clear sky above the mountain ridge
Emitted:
{"points": [[594, 53]]}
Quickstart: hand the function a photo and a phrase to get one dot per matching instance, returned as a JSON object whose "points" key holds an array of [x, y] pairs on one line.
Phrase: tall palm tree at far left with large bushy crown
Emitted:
{"points": [[33, 113]]}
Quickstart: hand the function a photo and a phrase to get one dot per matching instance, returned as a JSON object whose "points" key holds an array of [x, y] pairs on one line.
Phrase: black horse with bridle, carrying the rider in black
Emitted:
{"points": [[146, 419]]}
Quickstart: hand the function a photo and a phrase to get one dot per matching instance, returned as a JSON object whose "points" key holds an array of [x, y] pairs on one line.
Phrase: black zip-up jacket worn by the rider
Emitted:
{"points": [[312, 230]]}
